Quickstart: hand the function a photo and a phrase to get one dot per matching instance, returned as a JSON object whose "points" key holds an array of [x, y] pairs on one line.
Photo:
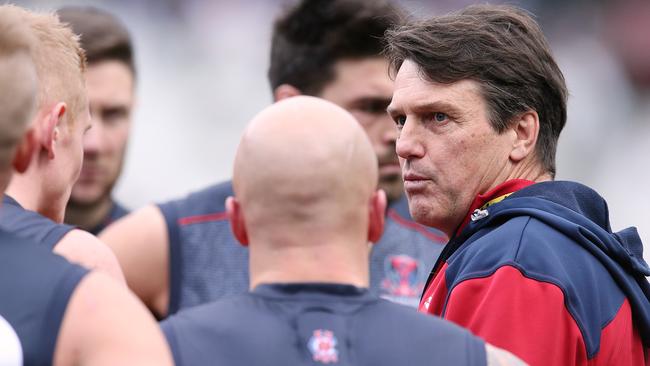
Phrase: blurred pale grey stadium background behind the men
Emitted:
{"points": [[202, 75]]}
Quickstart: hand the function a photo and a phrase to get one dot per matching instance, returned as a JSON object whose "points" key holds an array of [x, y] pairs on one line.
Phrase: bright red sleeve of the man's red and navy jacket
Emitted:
{"points": [[522, 315]]}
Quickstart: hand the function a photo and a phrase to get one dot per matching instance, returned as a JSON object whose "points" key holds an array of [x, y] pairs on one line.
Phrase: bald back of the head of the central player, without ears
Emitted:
{"points": [[304, 161]]}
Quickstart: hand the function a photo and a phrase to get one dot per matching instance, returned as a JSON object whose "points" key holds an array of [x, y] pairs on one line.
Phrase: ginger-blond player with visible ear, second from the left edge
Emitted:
{"points": [[50, 156]]}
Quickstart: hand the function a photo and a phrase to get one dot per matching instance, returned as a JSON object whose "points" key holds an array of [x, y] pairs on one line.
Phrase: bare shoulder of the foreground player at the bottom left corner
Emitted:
{"points": [[104, 324]]}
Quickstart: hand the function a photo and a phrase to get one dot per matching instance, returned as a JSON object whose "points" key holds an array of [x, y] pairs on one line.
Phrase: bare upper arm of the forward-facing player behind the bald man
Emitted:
{"points": [[141, 244]]}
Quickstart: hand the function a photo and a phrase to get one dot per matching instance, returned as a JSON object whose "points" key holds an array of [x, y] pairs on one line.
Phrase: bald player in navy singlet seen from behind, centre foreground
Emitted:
{"points": [[307, 219]]}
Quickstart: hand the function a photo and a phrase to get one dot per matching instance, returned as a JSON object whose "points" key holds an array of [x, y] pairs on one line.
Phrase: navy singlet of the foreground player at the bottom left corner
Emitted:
{"points": [[36, 286]]}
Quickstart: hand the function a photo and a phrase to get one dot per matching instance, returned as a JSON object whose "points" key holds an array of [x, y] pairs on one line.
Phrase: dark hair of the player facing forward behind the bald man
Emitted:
{"points": [[311, 36]]}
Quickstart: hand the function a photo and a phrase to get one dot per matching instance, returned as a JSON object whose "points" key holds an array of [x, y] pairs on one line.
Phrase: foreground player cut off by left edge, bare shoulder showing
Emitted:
{"points": [[53, 312]]}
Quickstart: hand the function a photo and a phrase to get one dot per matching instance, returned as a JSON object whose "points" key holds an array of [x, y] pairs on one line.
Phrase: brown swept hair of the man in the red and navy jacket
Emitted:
{"points": [[504, 50]]}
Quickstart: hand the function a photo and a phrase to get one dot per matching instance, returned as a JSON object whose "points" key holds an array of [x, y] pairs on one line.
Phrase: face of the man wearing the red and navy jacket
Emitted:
{"points": [[448, 150]]}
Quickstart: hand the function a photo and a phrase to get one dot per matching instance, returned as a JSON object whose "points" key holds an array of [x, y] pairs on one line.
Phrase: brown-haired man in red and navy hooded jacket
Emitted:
{"points": [[532, 266]]}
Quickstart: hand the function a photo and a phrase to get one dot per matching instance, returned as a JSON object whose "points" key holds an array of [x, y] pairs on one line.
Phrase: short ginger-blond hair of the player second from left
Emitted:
{"points": [[59, 59]]}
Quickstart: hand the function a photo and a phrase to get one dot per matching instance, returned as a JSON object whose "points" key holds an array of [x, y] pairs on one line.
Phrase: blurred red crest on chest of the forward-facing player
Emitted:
{"points": [[403, 276]]}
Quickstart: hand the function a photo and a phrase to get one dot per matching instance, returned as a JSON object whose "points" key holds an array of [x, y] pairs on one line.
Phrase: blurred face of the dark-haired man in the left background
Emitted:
{"points": [[110, 92]]}
